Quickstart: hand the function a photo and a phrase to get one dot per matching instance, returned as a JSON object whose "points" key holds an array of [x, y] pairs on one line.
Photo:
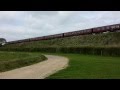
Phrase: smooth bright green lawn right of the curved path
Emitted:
{"points": [[89, 67]]}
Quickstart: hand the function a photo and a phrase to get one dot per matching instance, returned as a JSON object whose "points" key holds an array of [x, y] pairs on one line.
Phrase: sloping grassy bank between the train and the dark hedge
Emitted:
{"points": [[98, 40]]}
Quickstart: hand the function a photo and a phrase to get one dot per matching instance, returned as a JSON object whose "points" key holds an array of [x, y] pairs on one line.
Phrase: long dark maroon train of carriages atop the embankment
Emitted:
{"points": [[96, 30]]}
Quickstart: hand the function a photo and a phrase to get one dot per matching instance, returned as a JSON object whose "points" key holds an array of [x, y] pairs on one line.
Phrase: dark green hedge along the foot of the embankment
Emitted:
{"points": [[103, 51]]}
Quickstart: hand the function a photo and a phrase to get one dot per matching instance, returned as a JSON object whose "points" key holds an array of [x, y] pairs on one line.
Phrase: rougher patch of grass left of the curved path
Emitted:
{"points": [[12, 60]]}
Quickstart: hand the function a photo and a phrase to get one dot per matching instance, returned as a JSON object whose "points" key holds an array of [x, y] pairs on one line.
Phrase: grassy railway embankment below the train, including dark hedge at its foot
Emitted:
{"points": [[107, 44]]}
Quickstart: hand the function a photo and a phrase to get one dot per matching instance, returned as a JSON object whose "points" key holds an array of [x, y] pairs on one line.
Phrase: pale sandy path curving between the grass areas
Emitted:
{"points": [[37, 71]]}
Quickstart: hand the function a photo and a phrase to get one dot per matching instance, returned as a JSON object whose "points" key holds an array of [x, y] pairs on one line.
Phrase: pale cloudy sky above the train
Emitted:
{"points": [[16, 25]]}
